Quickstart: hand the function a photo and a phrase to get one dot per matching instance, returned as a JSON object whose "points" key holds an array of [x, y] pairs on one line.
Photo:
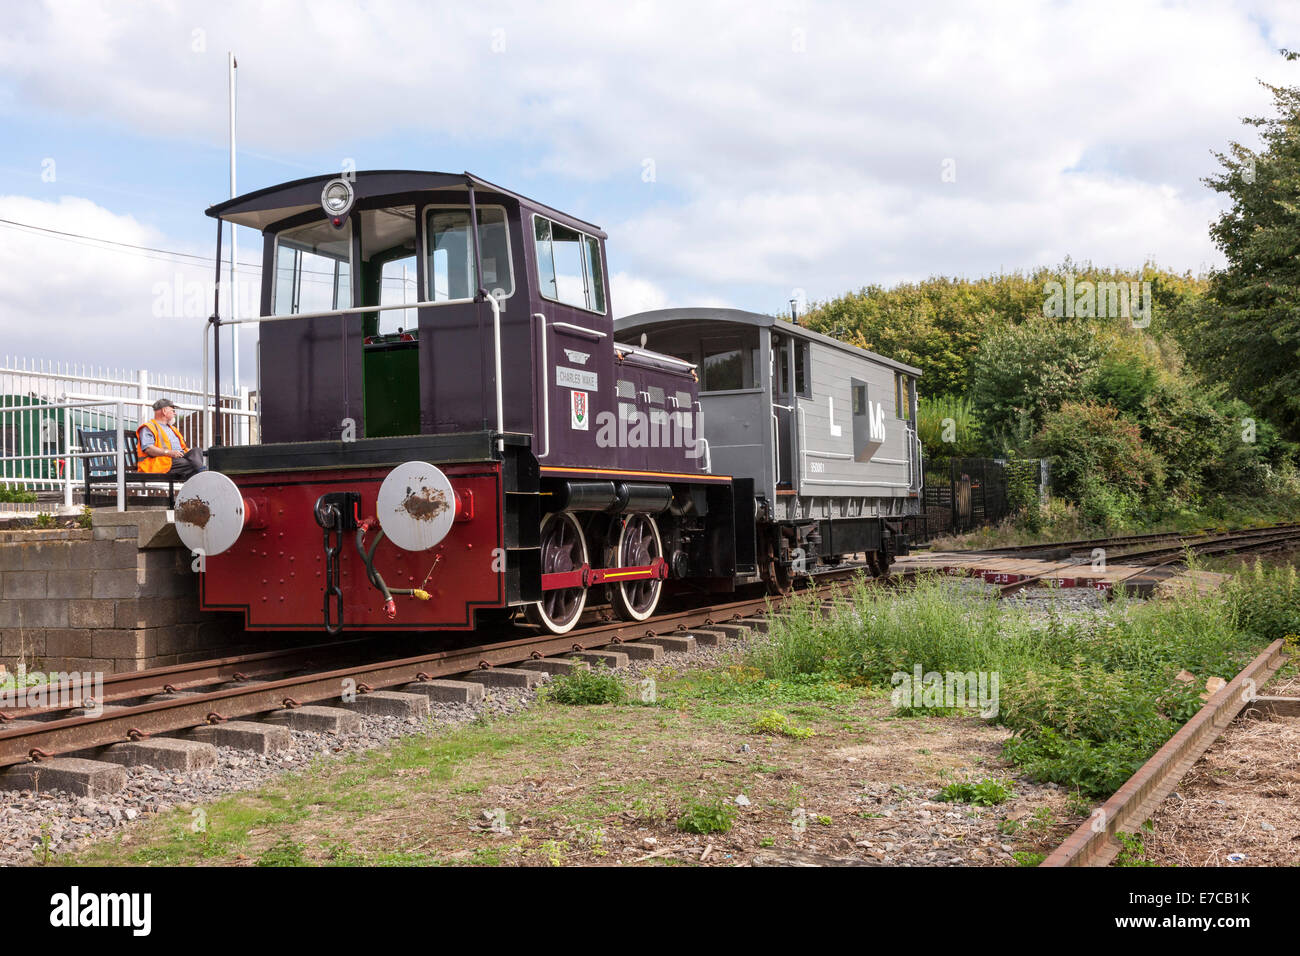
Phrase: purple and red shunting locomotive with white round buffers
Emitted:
{"points": [[448, 331]]}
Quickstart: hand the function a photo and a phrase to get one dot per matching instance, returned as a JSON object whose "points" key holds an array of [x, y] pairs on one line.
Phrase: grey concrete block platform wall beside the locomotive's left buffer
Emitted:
{"points": [[118, 598]]}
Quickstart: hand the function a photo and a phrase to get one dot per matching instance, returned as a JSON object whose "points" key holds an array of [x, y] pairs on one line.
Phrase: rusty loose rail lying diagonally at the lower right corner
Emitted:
{"points": [[1094, 843]]}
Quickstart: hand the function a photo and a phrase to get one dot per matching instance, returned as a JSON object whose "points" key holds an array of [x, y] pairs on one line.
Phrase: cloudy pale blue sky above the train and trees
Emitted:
{"points": [[738, 154]]}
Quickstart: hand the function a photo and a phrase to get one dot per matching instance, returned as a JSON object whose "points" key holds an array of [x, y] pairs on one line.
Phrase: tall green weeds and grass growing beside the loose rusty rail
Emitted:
{"points": [[1089, 699]]}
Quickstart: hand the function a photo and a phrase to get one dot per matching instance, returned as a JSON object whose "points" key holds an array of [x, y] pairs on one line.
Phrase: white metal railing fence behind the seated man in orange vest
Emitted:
{"points": [[45, 404]]}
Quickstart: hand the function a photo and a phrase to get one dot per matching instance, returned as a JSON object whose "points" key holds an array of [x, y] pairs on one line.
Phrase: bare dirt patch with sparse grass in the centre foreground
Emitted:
{"points": [[612, 785]]}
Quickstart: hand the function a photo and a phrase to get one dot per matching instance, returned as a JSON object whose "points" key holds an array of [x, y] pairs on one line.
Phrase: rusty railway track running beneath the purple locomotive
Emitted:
{"points": [[168, 700]]}
